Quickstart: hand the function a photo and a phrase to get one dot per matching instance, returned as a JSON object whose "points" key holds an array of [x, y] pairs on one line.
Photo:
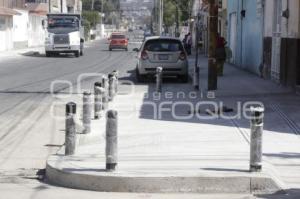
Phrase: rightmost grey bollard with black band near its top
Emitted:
{"points": [[256, 138]]}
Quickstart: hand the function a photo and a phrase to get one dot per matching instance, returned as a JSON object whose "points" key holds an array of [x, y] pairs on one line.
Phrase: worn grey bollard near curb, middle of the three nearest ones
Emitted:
{"points": [[111, 140]]}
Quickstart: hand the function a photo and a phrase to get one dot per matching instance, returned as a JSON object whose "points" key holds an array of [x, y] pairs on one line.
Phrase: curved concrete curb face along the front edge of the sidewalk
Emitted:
{"points": [[257, 183]]}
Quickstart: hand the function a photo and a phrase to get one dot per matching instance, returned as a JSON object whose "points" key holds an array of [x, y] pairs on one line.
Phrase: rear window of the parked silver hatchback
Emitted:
{"points": [[163, 45]]}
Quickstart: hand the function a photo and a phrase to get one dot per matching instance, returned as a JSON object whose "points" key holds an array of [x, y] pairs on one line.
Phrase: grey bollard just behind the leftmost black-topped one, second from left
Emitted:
{"points": [[87, 112]]}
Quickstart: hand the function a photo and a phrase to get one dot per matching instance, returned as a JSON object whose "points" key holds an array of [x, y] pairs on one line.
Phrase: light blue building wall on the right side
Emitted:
{"points": [[245, 33]]}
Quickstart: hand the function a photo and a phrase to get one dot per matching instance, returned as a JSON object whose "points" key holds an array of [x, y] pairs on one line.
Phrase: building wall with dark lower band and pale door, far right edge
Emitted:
{"points": [[282, 41]]}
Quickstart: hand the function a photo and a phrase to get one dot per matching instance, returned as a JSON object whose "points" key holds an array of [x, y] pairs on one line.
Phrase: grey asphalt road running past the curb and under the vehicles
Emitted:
{"points": [[29, 133]]}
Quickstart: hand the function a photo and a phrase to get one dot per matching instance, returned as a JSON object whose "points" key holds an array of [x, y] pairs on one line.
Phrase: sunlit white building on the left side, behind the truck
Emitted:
{"points": [[21, 20]]}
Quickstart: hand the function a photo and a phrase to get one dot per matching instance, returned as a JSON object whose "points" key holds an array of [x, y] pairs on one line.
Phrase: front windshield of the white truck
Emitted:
{"points": [[63, 22]]}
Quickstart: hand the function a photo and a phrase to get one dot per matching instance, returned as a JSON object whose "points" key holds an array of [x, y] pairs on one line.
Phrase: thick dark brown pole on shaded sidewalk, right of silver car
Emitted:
{"points": [[213, 31]]}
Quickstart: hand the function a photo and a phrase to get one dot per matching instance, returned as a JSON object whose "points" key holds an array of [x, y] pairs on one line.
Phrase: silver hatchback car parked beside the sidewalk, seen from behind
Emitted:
{"points": [[165, 52]]}
